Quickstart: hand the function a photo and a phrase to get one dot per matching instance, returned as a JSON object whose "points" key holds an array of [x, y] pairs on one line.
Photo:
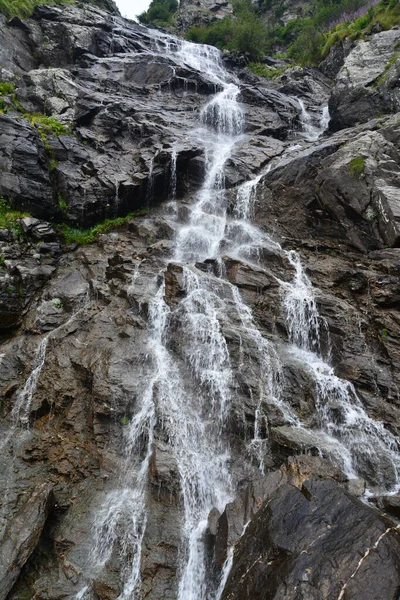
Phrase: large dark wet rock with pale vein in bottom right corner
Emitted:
{"points": [[289, 546]]}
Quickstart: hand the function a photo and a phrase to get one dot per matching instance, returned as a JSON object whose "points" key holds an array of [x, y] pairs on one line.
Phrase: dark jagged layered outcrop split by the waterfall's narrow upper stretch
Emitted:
{"points": [[114, 145]]}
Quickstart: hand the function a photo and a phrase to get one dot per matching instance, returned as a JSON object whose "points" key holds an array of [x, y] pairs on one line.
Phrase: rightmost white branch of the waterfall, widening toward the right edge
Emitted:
{"points": [[364, 446]]}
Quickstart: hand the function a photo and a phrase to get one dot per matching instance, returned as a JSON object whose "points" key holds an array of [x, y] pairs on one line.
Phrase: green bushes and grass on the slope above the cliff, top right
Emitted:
{"points": [[304, 40]]}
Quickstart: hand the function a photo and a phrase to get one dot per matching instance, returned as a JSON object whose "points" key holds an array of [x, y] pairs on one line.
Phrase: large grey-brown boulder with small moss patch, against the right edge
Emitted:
{"points": [[347, 192]]}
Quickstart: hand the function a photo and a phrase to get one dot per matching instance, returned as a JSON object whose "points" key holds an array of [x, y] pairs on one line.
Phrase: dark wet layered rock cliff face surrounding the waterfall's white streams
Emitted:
{"points": [[126, 110]]}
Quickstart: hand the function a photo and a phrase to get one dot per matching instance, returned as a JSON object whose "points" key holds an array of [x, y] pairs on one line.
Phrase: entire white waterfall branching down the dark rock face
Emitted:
{"points": [[193, 416]]}
